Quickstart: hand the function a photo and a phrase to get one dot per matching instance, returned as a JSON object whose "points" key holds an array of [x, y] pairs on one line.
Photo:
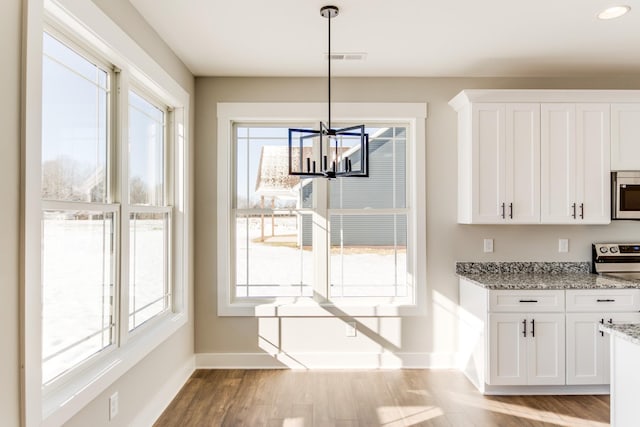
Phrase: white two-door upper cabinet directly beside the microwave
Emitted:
{"points": [[575, 161]]}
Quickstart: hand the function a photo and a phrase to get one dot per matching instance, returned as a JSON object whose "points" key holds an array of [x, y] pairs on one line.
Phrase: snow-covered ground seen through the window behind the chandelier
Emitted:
{"points": [[278, 267]]}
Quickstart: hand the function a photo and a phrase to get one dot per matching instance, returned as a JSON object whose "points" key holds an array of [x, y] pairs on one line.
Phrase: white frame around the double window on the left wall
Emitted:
{"points": [[88, 26]]}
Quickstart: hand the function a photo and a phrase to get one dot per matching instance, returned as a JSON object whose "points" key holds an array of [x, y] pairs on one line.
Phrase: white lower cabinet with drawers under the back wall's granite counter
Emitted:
{"points": [[540, 340]]}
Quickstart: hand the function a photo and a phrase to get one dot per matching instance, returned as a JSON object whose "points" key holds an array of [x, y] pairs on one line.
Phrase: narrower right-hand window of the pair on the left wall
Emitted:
{"points": [[148, 215]]}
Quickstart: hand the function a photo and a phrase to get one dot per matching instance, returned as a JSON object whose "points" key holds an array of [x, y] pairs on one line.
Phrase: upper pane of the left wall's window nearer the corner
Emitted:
{"points": [[146, 152]]}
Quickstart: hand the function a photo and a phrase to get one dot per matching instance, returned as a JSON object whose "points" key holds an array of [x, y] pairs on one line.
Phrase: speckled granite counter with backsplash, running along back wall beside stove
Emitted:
{"points": [[539, 275]]}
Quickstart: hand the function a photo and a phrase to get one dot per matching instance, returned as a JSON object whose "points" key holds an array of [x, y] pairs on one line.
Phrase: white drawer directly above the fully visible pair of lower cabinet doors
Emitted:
{"points": [[526, 301]]}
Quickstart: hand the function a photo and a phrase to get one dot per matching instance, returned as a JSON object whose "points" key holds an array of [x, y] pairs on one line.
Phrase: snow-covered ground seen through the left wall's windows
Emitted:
{"points": [[78, 274]]}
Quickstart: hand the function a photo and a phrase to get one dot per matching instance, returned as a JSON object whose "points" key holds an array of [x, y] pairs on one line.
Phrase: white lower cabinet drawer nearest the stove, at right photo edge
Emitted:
{"points": [[603, 300]]}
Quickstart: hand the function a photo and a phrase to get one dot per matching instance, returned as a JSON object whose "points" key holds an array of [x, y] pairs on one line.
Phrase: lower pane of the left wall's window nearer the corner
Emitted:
{"points": [[148, 258]]}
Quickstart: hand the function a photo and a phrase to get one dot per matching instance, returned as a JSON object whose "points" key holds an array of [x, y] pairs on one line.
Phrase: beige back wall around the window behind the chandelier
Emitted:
{"points": [[447, 241]]}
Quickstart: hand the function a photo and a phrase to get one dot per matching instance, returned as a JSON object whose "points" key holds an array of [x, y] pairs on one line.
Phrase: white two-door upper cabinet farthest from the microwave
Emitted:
{"points": [[499, 175]]}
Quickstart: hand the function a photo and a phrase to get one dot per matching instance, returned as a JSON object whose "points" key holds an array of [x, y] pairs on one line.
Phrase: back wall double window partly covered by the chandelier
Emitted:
{"points": [[342, 242]]}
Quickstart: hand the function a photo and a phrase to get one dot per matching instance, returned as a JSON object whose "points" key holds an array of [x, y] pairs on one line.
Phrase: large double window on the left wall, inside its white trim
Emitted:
{"points": [[107, 209]]}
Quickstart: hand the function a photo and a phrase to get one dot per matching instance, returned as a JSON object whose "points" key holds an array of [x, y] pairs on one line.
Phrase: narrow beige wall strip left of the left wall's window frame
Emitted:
{"points": [[10, 37]]}
